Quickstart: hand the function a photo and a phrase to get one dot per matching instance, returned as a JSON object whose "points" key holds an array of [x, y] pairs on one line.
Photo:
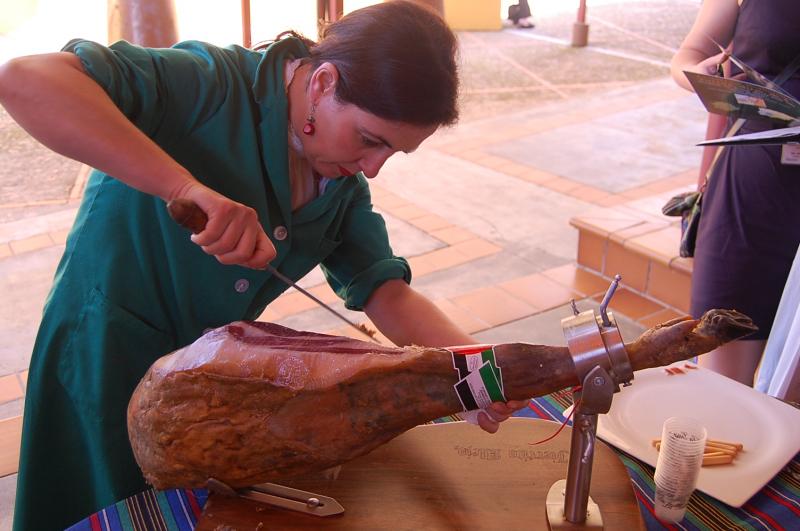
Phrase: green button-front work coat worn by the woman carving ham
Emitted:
{"points": [[132, 287]]}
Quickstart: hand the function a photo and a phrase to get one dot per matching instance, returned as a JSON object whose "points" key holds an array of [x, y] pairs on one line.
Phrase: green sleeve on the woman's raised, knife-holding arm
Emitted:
{"points": [[163, 91]]}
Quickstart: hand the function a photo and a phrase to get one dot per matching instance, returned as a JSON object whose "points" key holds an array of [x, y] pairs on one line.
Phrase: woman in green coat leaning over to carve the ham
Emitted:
{"points": [[275, 146]]}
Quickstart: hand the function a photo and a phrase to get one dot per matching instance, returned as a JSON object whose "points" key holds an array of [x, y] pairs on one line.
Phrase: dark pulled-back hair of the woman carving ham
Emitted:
{"points": [[396, 60]]}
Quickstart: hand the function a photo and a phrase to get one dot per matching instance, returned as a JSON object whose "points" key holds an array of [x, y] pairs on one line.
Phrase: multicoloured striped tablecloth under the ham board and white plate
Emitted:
{"points": [[775, 507]]}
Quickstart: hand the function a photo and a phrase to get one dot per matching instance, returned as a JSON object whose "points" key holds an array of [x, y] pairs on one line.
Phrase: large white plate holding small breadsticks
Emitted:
{"points": [[768, 428]]}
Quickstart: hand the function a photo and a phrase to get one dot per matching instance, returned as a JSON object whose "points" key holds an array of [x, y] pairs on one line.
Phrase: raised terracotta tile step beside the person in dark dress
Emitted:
{"points": [[636, 241]]}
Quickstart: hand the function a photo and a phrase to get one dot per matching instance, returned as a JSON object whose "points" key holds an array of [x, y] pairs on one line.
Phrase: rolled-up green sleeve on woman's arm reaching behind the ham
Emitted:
{"points": [[364, 260]]}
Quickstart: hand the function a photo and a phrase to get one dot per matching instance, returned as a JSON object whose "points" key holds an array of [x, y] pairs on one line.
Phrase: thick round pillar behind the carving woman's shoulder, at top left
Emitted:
{"points": [[150, 23]]}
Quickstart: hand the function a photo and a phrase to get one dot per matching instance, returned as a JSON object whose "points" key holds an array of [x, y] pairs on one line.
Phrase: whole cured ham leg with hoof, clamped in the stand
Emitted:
{"points": [[252, 402]]}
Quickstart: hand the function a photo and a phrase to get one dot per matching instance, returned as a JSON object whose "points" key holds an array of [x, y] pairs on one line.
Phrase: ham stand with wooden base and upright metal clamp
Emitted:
{"points": [[438, 476]]}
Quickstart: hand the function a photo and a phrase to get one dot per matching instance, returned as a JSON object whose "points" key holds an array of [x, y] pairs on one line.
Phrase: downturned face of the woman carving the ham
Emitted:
{"points": [[348, 139]]}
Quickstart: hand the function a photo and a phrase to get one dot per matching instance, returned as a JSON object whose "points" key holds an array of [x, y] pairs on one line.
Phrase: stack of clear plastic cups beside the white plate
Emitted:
{"points": [[683, 440]]}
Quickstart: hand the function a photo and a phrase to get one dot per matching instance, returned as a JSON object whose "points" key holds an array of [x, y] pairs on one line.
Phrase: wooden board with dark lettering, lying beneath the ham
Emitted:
{"points": [[445, 476]]}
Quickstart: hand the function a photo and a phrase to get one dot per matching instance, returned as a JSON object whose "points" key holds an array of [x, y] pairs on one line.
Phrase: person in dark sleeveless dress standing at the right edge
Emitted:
{"points": [[750, 226]]}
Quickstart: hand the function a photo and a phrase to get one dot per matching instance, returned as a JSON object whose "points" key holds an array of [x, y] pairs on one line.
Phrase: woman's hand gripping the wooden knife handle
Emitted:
{"points": [[233, 234]]}
